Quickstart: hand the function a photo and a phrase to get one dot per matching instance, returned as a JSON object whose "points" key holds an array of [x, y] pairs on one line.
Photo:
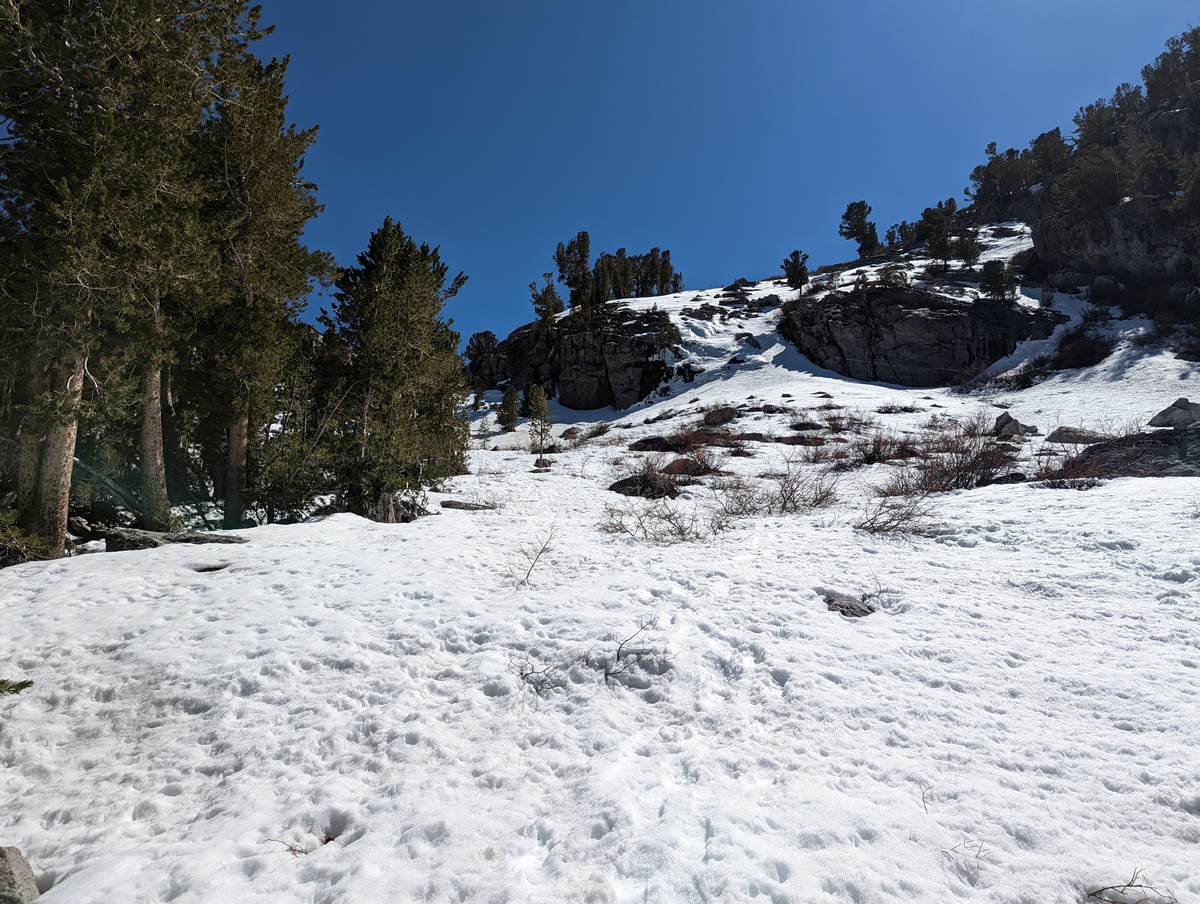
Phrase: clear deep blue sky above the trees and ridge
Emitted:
{"points": [[730, 134]]}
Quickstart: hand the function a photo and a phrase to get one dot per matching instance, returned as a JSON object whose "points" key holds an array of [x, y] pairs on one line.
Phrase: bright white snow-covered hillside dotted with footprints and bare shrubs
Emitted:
{"points": [[349, 713]]}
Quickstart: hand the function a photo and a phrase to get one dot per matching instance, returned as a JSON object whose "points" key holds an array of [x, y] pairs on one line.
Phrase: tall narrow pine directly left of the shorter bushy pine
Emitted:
{"points": [[259, 206]]}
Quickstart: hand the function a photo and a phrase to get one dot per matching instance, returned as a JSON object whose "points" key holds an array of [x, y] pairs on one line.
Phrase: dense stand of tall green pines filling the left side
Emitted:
{"points": [[153, 272]]}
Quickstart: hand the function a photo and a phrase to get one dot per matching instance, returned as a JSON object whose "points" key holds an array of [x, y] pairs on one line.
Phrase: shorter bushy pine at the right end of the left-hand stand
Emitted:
{"points": [[400, 372]]}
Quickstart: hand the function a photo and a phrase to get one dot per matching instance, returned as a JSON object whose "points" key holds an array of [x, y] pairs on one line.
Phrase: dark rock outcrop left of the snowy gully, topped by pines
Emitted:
{"points": [[617, 358]]}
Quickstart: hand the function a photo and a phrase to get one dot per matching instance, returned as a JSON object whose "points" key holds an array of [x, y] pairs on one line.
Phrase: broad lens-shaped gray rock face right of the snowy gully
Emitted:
{"points": [[911, 337]]}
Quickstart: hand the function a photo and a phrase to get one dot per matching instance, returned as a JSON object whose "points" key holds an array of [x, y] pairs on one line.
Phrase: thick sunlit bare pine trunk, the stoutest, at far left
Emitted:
{"points": [[49, 516]]}
